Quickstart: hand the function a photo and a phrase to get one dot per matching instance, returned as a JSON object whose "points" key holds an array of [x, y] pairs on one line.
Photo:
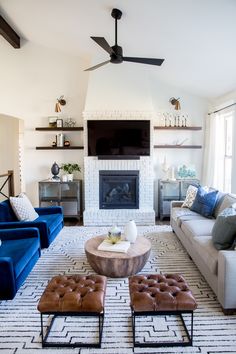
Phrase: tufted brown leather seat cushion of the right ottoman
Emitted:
{"points": [[160, 292]]}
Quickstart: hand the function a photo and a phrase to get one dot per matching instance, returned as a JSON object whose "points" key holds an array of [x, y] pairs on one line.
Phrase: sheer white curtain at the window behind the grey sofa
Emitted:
{"points": [[214, 154]]}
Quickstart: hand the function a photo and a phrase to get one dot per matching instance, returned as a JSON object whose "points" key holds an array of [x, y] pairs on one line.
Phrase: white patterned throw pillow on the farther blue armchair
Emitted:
{"points": [[23, 208]]}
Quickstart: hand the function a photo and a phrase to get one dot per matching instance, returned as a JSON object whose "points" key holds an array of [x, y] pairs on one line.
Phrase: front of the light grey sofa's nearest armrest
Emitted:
{"points": [[227, 279]]}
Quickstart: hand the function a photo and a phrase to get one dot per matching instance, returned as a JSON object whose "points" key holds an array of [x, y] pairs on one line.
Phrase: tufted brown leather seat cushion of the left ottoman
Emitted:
{"points": [[74, 293]]}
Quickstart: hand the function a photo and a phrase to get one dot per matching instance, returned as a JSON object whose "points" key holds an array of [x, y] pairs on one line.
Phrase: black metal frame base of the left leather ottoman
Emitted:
{"points": [[46, 343]]}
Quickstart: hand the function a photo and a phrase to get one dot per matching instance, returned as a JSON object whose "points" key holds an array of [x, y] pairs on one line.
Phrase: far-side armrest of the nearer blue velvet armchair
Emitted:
{"points": [[16, 234]]}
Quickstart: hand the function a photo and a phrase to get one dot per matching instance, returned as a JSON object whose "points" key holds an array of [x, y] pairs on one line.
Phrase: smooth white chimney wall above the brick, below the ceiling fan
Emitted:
{"points": [[119, 87]]}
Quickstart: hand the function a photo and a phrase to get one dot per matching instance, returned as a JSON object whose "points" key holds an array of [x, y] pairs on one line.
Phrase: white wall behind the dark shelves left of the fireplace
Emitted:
{"points": [[31, 79]]}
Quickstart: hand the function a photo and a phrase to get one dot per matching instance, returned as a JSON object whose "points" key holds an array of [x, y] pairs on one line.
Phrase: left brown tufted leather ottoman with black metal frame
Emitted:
{"points": [[73, 295]]}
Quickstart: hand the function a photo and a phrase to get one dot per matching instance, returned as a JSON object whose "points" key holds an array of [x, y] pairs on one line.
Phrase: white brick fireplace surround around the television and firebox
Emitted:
{"points": [[93, 215]]}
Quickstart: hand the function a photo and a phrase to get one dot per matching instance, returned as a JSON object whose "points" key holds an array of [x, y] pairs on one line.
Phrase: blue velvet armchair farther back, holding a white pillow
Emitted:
{"points": [[49, 222]]}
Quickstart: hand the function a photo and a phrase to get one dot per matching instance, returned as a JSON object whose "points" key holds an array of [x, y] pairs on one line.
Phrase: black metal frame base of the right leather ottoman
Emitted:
{"points": [[189, 334]]}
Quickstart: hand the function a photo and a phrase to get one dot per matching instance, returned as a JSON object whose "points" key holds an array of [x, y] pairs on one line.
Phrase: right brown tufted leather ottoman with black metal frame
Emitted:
{"points": [[161, 294]]}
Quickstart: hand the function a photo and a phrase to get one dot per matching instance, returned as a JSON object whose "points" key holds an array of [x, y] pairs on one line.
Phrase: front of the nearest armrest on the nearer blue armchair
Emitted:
{"points": [[7, 278]]}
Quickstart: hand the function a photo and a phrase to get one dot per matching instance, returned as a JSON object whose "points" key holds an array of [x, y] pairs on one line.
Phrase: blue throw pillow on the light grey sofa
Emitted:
{"points": [[205, 202]]}
